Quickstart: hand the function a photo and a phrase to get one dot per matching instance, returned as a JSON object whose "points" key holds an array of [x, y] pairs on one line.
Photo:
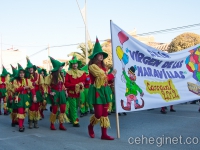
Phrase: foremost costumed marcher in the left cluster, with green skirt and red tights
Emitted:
{"points": [[23, 88]]}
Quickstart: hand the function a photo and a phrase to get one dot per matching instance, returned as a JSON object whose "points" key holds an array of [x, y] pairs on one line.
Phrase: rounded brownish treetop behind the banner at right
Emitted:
{"points": [[183, 41]]}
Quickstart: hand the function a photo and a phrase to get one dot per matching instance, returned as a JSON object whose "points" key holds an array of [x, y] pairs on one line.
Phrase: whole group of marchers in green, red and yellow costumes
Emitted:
{"points": [[90, 88]]}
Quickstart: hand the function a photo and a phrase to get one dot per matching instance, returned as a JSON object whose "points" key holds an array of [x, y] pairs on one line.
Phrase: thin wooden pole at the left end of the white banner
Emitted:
{"points": [[117, 116]]}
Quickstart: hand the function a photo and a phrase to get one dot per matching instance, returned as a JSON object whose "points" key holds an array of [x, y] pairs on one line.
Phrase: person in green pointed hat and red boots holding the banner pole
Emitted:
{"points": [[99, 93]]}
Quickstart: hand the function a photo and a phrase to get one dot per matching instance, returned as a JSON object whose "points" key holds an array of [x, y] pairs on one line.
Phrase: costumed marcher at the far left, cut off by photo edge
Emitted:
{"points": [[4, 82]]}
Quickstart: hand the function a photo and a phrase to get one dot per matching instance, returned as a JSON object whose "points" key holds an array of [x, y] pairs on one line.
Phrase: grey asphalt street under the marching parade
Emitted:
{"points": [[143, 124]]}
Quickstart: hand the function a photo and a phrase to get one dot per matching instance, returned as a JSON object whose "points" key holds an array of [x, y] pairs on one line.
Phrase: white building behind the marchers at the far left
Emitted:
{"points": [[12, 57]]}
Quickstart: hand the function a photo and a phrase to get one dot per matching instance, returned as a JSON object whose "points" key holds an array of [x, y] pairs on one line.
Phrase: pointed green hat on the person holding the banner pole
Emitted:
{"points": [[98, 50]]}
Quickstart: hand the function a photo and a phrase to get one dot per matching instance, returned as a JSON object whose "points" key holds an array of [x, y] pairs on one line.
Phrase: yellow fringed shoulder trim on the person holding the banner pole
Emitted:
{"points": [[99, 74]]}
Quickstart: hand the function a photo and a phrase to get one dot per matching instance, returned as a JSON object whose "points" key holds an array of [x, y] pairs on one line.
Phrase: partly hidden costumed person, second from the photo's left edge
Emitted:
{"points": [[10, 96]]}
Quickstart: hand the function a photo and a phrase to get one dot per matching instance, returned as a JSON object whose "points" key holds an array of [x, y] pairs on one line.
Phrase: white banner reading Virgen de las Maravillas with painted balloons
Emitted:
{"points": [[149, 78]]}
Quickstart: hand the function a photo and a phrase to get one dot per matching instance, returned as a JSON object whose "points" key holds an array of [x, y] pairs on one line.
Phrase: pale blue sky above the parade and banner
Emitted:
{"points": [[32, 25]]}
